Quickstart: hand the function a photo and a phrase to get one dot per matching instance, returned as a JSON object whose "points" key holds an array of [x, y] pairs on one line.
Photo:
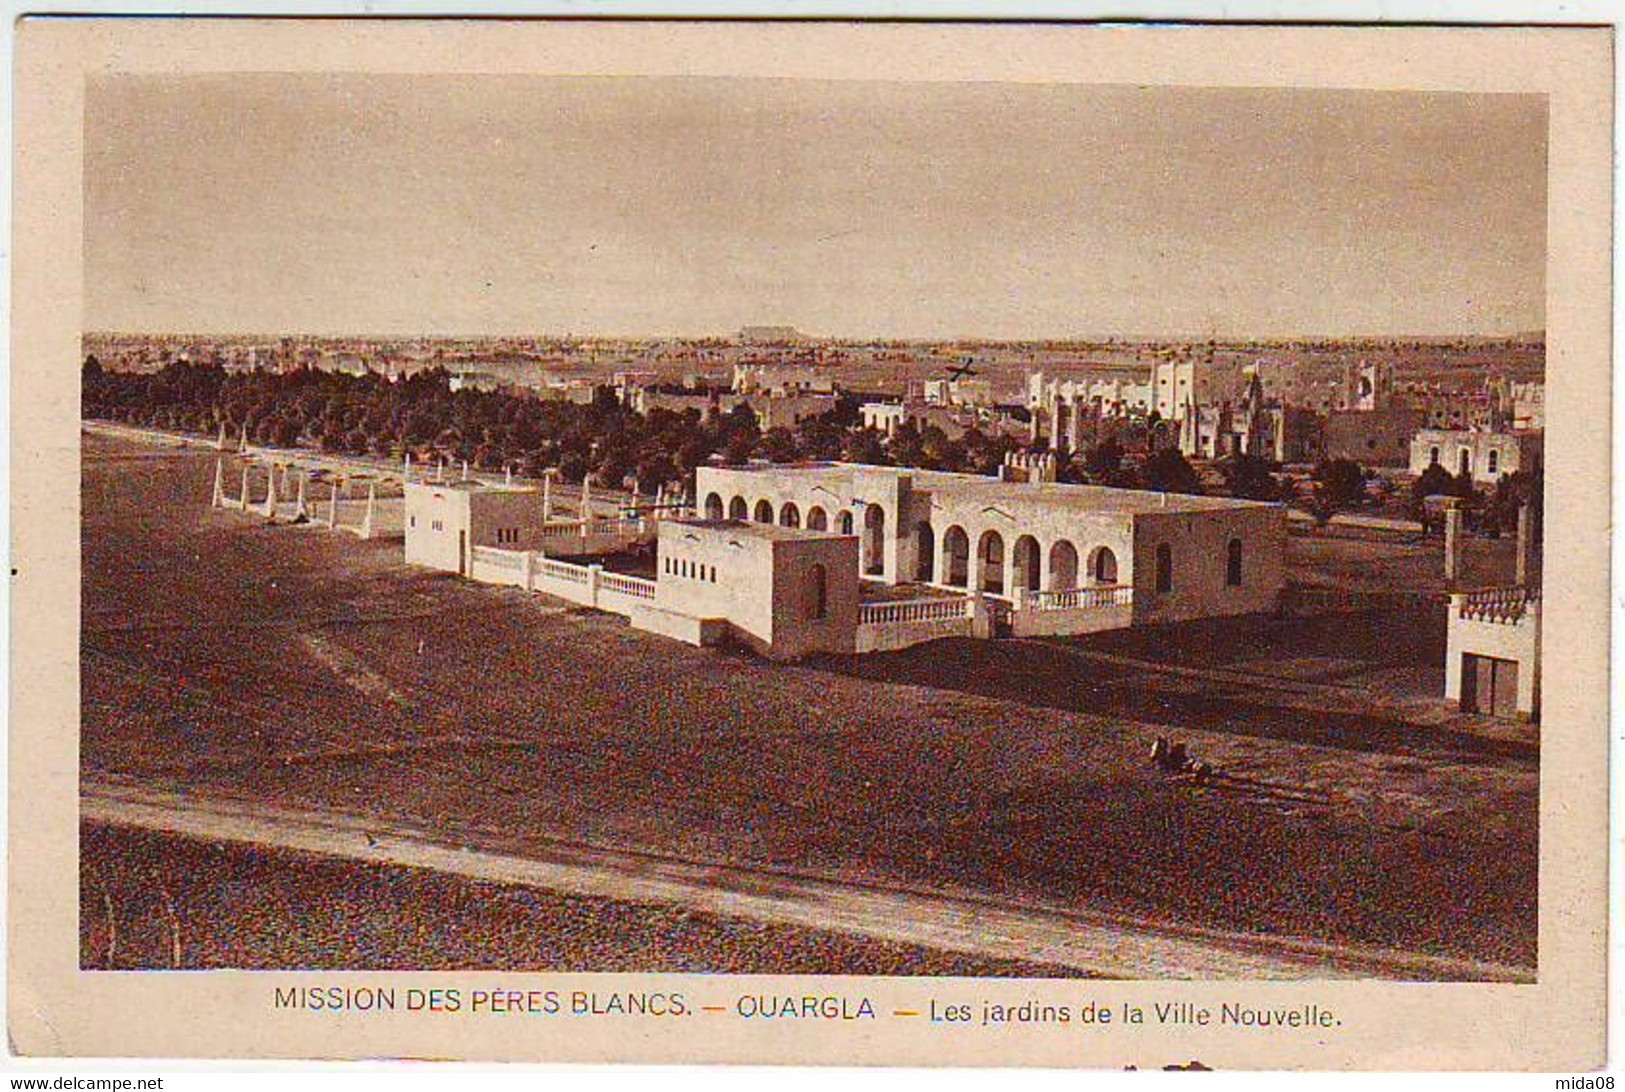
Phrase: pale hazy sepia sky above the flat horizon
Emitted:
{"points": [[677, 206]]}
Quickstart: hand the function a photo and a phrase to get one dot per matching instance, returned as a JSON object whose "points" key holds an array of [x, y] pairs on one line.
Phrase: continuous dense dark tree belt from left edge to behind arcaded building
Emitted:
{"points": [[493, 431]]}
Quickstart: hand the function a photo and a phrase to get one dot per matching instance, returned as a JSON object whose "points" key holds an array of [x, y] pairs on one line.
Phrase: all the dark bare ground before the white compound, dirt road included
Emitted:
{"points": [[1358, 826]]}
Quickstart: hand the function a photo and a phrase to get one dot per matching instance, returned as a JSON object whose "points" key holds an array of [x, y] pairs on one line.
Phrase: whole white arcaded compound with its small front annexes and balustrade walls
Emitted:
{"points": [[792, 560]]}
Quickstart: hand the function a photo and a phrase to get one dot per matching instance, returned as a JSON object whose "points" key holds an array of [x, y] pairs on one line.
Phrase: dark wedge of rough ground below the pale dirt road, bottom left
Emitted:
{"points": [[162, 901]]}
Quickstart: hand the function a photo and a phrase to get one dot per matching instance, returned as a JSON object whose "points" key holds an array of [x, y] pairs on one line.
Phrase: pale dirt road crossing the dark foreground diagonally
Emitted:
{"points": [[1094, 945]]}
